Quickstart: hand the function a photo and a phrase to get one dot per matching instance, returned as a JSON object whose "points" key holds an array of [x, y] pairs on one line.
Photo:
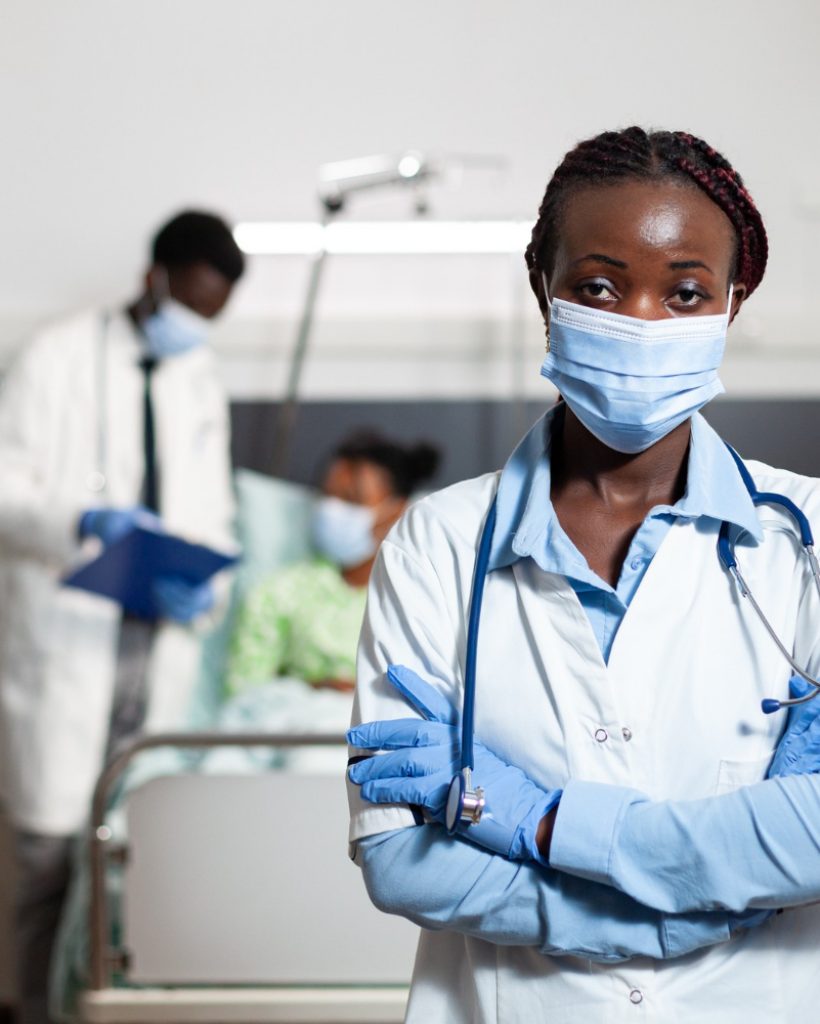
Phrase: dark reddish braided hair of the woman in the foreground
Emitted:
{"points": [[633, 153]]}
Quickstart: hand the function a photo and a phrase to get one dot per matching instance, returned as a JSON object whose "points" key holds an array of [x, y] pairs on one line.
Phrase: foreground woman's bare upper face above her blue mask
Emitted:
{"points": [[651, 250]]}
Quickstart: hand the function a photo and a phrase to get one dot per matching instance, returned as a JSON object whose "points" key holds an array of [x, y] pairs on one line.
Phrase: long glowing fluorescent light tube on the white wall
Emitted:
{"points": [[384, 238]]}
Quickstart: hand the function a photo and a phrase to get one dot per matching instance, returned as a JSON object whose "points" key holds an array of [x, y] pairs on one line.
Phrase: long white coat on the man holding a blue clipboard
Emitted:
{"points": [[59, 646]]}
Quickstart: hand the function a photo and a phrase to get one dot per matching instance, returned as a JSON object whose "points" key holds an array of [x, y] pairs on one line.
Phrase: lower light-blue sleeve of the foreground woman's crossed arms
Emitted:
{"points": [[442, 883]]}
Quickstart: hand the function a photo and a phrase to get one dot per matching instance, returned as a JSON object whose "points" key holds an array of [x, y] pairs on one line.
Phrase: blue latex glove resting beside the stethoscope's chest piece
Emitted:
{"points": [[425, 757]]}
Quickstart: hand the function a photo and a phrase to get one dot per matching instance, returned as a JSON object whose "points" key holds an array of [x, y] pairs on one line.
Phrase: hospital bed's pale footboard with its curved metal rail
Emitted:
{"points": [[238, 901]]}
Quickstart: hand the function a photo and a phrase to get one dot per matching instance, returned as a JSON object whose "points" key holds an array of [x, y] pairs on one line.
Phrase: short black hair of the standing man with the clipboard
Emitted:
{"points": [[195, 237]]}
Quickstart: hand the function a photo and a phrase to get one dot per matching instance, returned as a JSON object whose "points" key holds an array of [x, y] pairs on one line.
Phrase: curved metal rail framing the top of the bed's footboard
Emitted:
{"points": [[100, 967]]}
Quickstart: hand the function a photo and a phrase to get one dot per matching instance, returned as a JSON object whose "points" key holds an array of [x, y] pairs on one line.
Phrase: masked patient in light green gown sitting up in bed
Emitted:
{"points": [[292, 664]]}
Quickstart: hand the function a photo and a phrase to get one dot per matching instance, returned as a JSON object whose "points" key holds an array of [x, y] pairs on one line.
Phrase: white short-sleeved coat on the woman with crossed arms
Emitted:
{"points": [[687, 672]]}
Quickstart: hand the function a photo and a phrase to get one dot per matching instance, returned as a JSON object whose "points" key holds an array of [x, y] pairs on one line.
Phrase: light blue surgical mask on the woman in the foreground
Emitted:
{"points": [[632, 381]]}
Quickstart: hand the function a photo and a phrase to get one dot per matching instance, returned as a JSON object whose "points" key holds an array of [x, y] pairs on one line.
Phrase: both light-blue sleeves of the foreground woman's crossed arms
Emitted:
{"points": [[626, 877]]}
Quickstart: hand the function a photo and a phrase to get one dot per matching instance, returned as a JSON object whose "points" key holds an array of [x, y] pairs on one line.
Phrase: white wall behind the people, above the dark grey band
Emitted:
{"points": [[115, 115]]}
